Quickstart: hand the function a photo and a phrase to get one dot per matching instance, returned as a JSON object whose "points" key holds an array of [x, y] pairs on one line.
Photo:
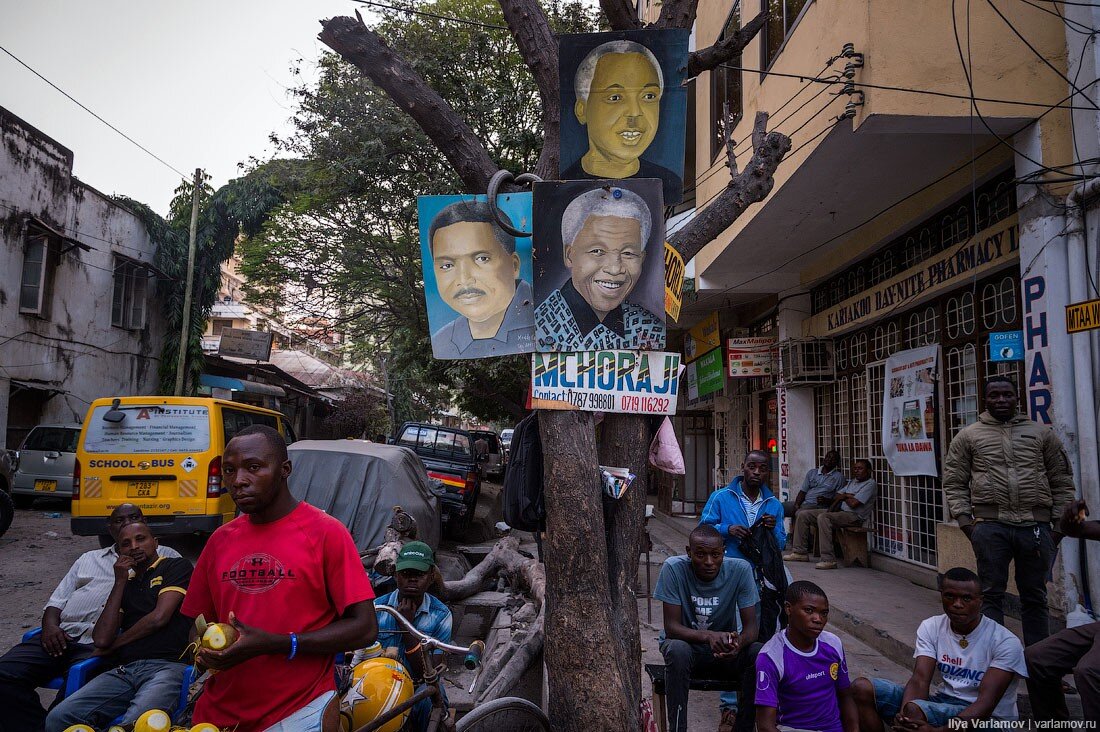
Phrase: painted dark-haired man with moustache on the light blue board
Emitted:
{"points": [[477, 272]]}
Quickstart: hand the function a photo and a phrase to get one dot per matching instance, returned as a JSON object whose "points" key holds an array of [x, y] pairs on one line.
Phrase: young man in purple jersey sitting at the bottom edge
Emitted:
{"points": [[802, 678]]}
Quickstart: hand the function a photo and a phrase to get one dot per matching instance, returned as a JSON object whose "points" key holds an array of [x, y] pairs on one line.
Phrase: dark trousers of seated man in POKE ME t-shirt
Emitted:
{"points": [[686, 660]]}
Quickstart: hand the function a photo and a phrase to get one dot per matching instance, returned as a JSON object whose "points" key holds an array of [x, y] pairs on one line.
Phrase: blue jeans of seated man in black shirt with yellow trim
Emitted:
{"points": [[128, 691]]}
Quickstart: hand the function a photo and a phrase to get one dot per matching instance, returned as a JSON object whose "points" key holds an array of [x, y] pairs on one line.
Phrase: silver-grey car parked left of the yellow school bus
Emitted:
{"points": [[45, 464]]}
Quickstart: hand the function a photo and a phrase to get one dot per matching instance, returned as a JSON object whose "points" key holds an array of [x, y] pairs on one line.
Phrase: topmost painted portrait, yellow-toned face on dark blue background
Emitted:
{"points": [[625, 106]]}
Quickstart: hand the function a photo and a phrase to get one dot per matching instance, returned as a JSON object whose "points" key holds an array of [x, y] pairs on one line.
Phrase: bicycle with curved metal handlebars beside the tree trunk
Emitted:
{"points": [[504, 715]]}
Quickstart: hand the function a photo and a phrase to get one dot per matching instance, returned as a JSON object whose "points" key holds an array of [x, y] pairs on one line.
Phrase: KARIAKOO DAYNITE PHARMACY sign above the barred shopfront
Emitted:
{"points": [[991, 249]]}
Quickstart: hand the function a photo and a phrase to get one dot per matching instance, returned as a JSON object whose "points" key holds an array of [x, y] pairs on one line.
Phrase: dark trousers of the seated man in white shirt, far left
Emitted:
{"points": [[23, 671]]}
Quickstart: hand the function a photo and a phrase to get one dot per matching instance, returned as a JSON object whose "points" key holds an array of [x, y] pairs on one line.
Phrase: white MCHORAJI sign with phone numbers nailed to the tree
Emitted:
{"points": [[607, 381]]}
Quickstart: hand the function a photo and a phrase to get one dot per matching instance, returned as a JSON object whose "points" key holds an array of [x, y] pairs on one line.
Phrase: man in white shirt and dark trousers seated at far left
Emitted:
{"points": [[68, 622]]}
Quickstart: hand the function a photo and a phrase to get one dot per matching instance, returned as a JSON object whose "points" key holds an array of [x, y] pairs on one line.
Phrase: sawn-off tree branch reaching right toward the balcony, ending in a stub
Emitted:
{"points": [[751, 187]]}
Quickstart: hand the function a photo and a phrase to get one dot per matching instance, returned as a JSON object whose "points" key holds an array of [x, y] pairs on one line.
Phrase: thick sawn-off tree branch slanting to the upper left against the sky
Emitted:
{"points": [[365, 49]]}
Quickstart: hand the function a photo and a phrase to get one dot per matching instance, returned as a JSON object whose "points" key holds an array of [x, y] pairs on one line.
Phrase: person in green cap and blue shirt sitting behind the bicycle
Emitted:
{"points": [[416, 573]]}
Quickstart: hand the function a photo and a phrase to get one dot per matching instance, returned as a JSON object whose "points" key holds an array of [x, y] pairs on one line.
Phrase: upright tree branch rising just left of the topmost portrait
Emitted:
{"points": [[531, 28]]}
